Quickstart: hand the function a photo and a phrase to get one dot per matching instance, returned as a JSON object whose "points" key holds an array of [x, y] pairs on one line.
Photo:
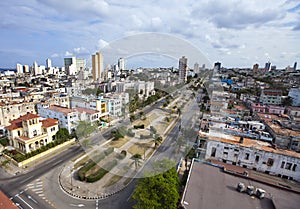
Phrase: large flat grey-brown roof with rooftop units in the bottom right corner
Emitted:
{"points": [[208, 187]]}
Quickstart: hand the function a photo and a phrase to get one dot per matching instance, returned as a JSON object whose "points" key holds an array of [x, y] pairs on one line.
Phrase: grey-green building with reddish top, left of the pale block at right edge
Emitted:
{"points": [[270, 97]]}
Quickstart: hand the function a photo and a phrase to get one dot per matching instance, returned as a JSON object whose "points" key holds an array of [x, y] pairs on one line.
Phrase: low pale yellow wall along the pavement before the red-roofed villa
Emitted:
{"points": [[40, 155]]}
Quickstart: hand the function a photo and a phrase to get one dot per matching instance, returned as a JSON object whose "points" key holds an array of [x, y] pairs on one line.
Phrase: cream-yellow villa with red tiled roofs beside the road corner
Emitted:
{"points": [[29, 132]]}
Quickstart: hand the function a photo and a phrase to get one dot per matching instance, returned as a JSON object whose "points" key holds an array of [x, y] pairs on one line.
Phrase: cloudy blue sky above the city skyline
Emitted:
{"points": [[237, 33]]}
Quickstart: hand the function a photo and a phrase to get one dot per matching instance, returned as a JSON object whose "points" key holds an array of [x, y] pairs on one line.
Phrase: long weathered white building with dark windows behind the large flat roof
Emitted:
{"points": [[256, 155]]}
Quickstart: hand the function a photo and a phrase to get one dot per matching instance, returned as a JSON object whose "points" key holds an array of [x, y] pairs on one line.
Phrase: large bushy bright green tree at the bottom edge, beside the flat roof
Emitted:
{"points": [[160, 191]]}
